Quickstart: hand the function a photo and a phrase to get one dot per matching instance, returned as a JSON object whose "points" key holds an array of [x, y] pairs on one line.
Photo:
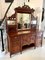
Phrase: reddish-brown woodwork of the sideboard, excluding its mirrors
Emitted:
{"points": [[19, 38]]}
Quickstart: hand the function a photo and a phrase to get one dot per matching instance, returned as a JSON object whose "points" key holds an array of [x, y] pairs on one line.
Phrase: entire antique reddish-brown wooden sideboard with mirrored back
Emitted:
{"points": [[20, 29]]}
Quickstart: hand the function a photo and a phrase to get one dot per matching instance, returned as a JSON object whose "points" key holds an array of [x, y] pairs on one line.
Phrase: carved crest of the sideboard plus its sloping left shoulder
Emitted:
{"points": [[23, 9]]}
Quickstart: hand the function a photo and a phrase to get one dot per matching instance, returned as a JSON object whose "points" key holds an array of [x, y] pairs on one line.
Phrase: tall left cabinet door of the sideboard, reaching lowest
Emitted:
{"points": [[15, 44]]}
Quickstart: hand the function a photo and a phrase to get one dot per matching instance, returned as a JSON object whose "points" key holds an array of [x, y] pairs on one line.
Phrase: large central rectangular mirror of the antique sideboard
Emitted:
{"points": [[23, 20]]}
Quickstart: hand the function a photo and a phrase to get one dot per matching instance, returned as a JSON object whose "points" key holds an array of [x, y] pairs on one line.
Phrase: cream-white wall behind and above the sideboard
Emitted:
{"points": [[36, 4]]}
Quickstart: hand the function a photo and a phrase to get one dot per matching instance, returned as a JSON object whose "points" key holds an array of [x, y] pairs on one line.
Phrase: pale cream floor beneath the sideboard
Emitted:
{"points": [[28, 54]]}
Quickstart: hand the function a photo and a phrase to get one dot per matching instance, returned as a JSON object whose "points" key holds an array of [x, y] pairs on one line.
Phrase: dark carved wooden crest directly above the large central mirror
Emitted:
{"points": [[24, 9]]}
